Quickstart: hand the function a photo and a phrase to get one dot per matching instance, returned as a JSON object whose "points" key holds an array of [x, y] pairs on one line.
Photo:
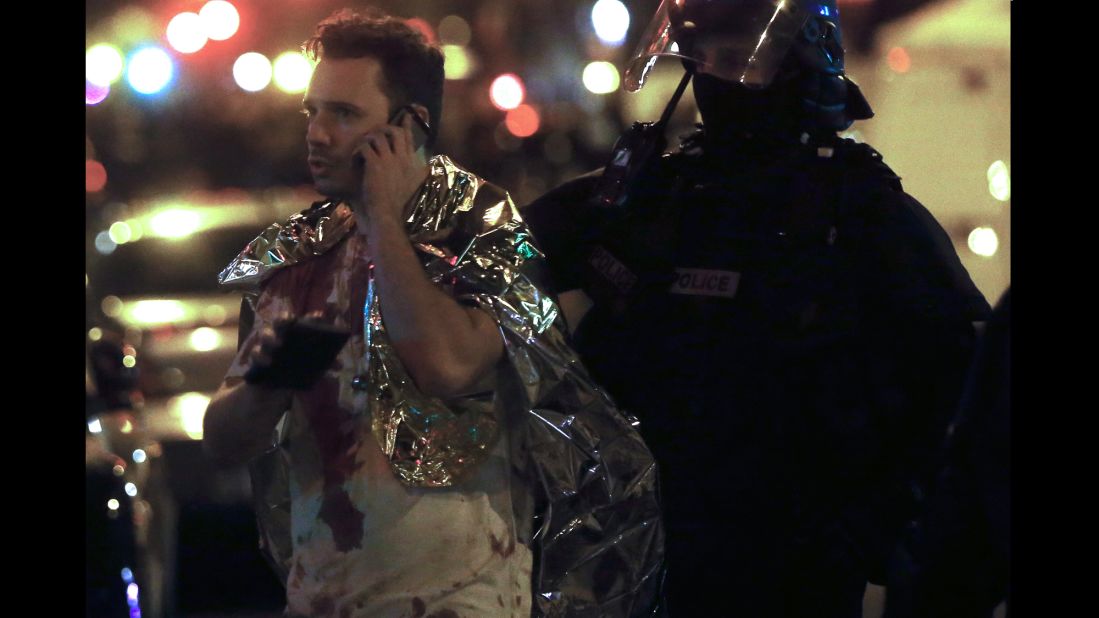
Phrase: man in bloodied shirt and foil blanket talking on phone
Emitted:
{"points": [[456, 460]]}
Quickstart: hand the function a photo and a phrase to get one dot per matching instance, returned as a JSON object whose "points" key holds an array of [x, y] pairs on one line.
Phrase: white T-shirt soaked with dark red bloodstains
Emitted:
{"points": [[364, 544]]}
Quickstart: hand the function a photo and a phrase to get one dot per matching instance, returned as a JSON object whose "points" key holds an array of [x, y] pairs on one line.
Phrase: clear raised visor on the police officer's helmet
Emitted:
{"points": [[741, 41]]}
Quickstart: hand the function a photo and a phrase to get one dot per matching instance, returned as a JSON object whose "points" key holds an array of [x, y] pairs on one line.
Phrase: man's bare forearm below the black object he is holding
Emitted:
{"points": [[240, 421]]}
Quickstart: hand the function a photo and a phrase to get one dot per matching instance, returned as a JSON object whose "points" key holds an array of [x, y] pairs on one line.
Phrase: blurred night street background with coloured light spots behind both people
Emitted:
{"points": [[195, 141]]}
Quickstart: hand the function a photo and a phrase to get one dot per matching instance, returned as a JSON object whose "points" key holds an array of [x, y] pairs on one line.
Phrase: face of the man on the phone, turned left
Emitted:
{"points": [[345, 102]]}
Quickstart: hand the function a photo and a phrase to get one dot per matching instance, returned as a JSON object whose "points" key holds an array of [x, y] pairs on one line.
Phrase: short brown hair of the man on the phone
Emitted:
{"points": [[413, 69]]}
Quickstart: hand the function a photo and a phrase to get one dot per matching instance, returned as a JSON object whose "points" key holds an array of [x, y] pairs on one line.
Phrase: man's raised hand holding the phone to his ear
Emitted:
{"points": [[393, 172]]}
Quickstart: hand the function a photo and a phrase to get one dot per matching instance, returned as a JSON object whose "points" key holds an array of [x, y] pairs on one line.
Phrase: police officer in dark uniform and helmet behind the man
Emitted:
{"points": [[791, 328]]}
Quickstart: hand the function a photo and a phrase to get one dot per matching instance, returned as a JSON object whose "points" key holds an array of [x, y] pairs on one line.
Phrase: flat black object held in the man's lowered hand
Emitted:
{"points": [[309, 348]]}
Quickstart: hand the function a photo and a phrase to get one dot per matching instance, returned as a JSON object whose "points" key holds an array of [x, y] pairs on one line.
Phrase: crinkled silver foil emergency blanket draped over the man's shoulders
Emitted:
{"points": [[591, 512]]}
